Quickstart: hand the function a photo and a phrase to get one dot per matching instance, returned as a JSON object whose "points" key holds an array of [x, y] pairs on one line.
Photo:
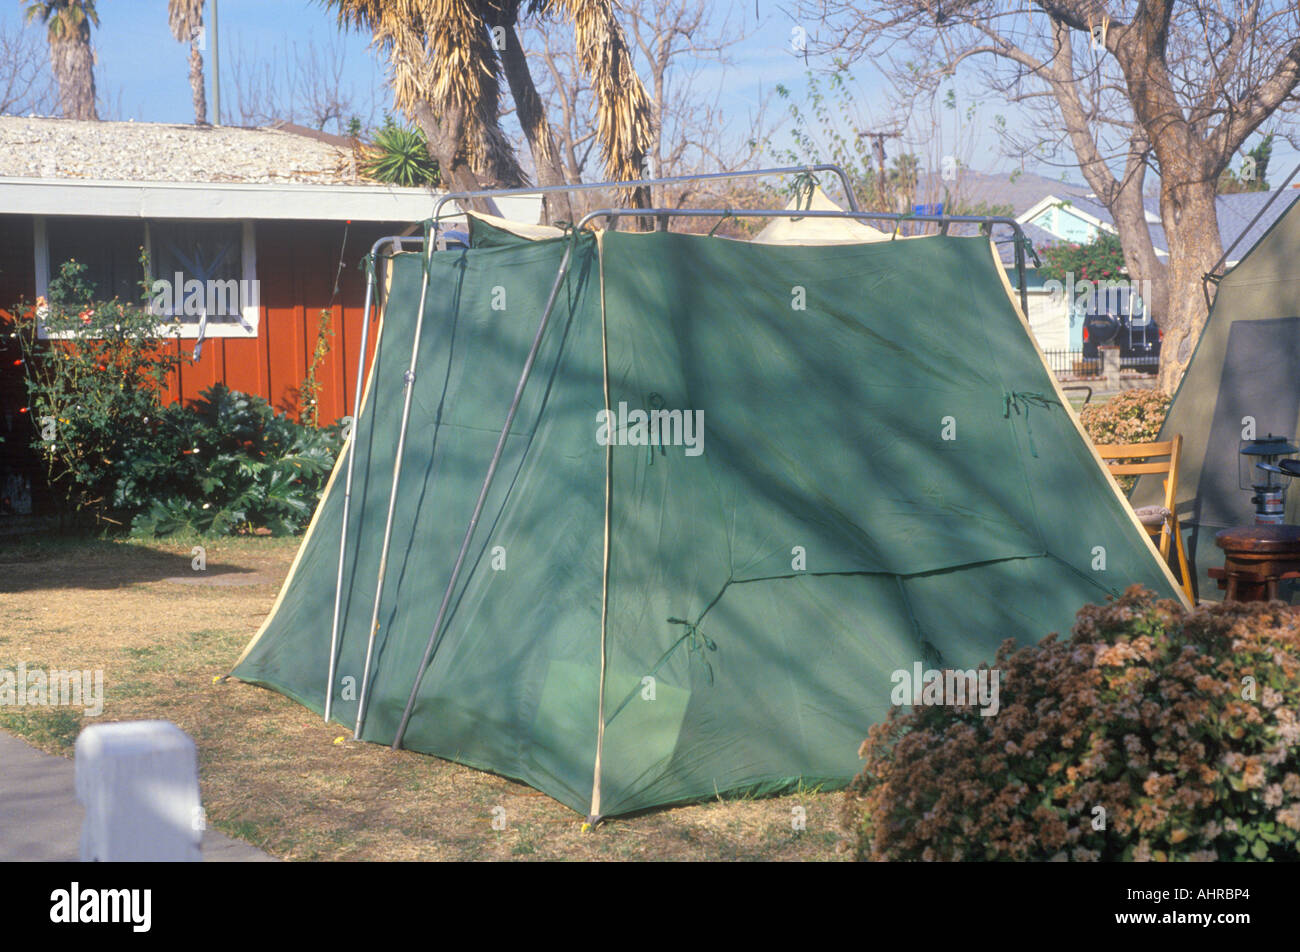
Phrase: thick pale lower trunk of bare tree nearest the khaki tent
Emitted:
{"points": [[1191, 224]]}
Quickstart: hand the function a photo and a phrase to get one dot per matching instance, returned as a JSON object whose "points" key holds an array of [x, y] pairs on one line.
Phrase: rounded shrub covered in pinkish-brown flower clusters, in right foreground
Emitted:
{"points": [[1152, 734]]}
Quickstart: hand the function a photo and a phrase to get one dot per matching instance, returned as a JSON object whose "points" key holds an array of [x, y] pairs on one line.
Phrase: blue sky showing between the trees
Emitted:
{"points": [[142, 71]]}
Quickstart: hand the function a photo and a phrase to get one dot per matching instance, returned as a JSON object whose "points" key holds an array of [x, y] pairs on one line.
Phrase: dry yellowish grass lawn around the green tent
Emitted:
{"points": [[272, 773]]}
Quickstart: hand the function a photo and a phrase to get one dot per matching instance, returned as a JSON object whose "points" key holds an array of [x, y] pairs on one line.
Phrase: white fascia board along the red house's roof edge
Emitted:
{"points": [[23, 196]]}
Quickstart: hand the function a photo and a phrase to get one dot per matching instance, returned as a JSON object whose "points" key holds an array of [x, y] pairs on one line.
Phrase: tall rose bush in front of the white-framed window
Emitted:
{"points": [[94, 383]]}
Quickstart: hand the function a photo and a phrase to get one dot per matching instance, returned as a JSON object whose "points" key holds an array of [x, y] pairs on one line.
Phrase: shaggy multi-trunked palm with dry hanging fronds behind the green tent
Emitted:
{"points": [[447, 76]]}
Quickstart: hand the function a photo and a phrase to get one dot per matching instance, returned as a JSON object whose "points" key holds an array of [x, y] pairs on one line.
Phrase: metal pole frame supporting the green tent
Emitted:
{"points": [[430, 245]]}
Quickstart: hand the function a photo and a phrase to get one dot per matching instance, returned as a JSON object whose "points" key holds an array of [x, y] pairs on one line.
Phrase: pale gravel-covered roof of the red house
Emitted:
{"points": [[164, 153]]}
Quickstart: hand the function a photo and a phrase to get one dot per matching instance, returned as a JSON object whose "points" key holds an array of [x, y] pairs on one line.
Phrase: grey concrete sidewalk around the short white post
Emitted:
{"points": [[41, 819]]}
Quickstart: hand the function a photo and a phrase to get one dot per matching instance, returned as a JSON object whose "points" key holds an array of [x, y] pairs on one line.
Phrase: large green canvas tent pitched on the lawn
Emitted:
{"points": [[883, 477]]}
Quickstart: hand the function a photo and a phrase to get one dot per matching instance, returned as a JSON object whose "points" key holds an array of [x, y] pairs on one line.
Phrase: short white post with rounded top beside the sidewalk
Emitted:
{"points": [[140, 784]]}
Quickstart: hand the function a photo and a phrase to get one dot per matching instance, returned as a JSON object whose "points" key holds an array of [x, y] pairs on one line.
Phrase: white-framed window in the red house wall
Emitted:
{"points": [[202, 274]]}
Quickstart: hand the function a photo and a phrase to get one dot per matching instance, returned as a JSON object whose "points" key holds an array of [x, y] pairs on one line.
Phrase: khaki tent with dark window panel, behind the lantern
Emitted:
{"points": [[1243, 379]]}
